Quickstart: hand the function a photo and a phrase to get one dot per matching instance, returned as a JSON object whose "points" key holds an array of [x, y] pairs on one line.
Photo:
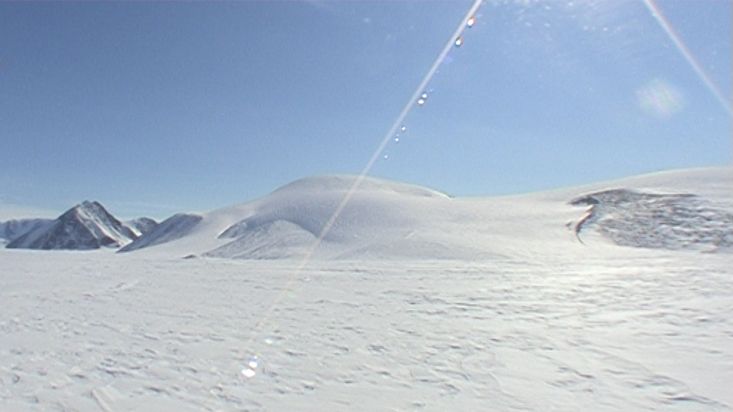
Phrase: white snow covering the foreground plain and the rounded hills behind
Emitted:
{"points": [[514, 313]]}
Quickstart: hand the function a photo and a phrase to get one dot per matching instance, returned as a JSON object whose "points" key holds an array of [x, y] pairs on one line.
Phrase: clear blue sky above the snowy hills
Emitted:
{"points": [[156, 108]]}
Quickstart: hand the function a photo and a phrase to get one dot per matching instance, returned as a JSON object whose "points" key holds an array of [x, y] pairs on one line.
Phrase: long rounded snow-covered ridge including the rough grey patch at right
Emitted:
{"points": [[688, 209]]}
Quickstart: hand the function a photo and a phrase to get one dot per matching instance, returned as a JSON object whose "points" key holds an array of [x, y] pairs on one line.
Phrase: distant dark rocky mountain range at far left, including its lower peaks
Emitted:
{"points": [[85, 226]]}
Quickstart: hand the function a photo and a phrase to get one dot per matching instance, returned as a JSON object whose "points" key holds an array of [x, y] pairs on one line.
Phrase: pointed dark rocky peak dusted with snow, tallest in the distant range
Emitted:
{"points": [[87, 225]]}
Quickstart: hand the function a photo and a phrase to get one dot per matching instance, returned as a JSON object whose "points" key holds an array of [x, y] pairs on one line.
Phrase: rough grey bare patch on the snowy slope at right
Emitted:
{"points": [[665, 221]]}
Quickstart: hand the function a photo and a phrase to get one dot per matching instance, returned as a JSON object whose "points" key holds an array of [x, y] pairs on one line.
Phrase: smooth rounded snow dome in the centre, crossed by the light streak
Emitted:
{"points": [[289, 221]]}
